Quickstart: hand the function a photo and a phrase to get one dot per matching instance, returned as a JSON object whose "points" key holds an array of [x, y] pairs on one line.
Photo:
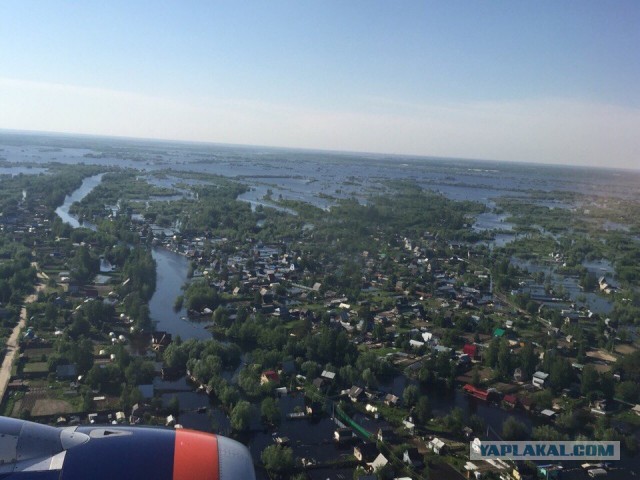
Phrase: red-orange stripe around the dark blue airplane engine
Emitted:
{"points": [[195, 456]]}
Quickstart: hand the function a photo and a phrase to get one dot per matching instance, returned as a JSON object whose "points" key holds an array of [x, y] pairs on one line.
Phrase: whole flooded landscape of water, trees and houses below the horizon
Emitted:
{"points": [[340, 314]]}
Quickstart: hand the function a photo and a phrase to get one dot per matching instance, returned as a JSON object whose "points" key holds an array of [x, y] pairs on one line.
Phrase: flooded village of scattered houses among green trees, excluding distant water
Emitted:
{"points": [[384, 362]]}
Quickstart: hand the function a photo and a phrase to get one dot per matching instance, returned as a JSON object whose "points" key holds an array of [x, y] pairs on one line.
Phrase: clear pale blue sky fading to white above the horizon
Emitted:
{"points": [[546, 81]]}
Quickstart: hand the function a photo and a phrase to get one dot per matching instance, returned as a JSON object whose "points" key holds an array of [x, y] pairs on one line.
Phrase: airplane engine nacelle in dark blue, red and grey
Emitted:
{"points": [[32, 451]]}
